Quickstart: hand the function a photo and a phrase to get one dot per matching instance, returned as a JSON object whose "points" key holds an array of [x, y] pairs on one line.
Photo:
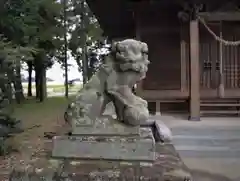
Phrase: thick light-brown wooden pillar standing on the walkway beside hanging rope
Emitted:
{"points": [[194, 72]]}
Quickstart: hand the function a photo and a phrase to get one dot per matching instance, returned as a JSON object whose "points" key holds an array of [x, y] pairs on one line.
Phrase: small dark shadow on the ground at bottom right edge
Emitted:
{"points": [[199, 175]]}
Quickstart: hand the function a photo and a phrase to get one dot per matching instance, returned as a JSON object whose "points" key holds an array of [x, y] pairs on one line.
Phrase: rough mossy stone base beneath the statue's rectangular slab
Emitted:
{"points": [[168, 166]]}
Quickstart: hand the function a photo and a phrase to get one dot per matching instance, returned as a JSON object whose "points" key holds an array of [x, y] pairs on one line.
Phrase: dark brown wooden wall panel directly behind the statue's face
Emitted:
{"points": [[165, 56]]}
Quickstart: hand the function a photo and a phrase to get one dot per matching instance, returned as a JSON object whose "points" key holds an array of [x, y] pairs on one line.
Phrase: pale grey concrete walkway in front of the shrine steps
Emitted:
{"points": [[210, 148]]}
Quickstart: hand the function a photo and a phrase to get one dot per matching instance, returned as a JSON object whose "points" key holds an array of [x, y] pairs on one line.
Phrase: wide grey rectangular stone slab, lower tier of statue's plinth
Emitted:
{"points": [[138, 148]]}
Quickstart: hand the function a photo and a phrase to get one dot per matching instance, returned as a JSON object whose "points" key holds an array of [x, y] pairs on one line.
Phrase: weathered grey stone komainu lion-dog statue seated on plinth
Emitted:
{"points": [[126, 65]]}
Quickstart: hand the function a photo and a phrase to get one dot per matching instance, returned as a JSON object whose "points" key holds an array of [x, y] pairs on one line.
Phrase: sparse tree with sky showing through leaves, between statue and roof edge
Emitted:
{"points": [[85, 37]]}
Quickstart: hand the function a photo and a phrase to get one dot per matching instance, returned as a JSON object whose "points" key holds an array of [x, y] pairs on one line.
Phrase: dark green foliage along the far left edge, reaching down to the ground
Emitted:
{"points": [[8, 53]]}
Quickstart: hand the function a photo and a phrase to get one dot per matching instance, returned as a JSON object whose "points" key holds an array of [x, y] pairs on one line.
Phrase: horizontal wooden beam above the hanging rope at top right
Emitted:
{"points": [[220, 16]]}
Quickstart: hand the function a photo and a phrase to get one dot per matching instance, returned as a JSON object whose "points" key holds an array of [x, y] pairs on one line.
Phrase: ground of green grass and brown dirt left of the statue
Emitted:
{"points": [[31, 144]]}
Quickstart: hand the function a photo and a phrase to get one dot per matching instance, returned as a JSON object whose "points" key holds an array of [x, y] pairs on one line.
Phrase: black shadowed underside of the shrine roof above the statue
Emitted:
{"points": [[116, 17]]}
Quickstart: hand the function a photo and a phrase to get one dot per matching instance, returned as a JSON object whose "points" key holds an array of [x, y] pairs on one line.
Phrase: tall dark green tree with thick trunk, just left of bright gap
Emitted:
{"points": [[49, 31]]}
